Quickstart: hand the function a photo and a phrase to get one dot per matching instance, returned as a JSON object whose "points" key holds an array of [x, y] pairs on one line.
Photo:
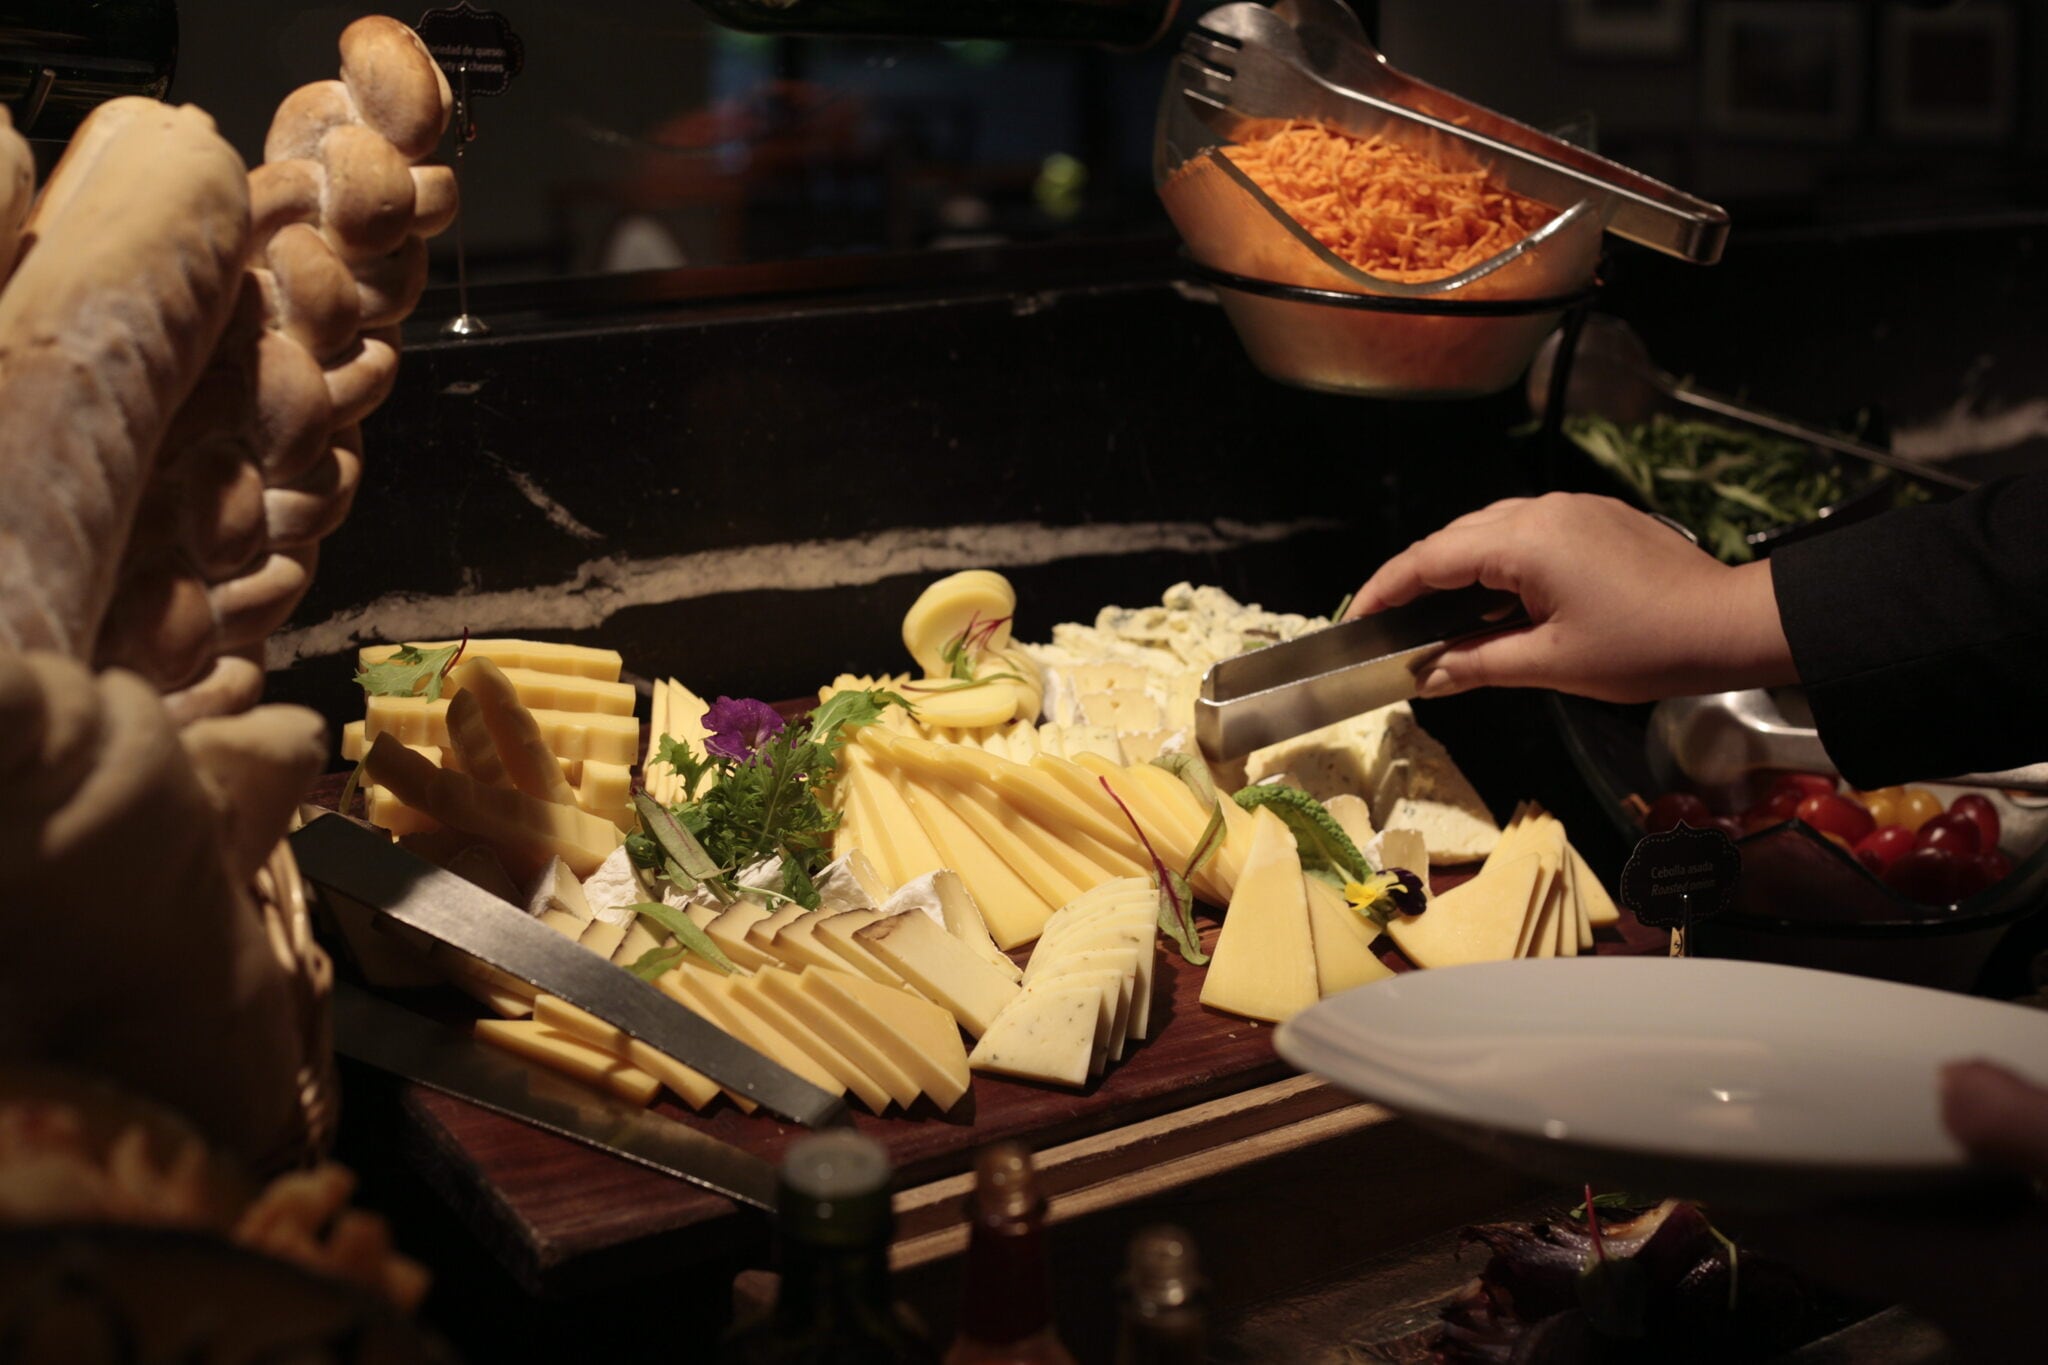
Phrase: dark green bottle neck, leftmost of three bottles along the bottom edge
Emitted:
{"points": [[833, 1245]]}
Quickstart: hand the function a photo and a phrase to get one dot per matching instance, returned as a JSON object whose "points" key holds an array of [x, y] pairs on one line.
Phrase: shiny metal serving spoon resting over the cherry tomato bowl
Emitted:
{"points": [[1723, 738]]}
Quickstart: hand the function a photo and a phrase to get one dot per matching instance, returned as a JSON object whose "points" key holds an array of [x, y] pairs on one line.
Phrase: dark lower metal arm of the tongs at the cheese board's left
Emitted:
{"points": [[392, 1039]]}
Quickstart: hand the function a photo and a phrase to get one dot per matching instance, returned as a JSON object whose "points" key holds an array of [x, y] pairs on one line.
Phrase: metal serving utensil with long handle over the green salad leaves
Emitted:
{"points": [[1613, 376]]}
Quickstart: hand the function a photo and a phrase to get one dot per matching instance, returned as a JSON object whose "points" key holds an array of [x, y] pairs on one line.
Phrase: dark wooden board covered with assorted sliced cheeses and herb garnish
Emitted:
{"points": [[1017, 846]]}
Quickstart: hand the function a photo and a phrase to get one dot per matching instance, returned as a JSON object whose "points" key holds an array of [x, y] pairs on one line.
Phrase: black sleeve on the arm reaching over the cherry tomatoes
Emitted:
{"points": [[1922, 635]]}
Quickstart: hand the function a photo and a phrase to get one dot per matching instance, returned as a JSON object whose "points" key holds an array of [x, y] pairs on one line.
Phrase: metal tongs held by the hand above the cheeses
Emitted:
{"points": [[1304, 685]]}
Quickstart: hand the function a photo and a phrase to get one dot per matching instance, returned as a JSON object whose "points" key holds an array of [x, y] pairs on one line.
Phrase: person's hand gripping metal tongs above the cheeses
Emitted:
{"points": [[1623, 609]]}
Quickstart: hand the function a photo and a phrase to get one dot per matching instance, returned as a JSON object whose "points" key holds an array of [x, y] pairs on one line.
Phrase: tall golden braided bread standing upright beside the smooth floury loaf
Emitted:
{"points": [[267, 455]]}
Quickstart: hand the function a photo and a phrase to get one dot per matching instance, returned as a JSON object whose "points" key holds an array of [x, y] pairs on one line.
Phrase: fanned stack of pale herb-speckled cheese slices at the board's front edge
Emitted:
{"points": [[1089, 989]]}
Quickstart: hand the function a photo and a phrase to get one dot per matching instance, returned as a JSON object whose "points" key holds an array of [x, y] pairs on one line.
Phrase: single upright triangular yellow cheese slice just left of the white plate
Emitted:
{"points": [[1265, 959]]}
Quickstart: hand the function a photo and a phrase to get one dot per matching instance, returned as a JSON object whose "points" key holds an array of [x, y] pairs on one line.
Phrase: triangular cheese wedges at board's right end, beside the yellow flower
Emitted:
{"points": [[1535, 897]]}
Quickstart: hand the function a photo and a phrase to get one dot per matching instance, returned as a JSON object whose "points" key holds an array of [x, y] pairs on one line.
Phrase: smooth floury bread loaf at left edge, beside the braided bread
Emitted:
{"points": [[128, 273]]}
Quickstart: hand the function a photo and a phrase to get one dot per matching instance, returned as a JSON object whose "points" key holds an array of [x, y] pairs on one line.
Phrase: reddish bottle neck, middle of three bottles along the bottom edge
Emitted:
{"points": [[1007, 1311]]}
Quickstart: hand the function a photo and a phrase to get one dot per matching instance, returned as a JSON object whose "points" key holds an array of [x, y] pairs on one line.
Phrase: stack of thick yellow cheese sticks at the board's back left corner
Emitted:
{"points": [[552, 707]]}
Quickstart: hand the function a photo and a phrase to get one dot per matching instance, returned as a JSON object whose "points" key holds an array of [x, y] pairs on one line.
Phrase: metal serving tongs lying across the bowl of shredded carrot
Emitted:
{"points": [[1312, 60]]}
